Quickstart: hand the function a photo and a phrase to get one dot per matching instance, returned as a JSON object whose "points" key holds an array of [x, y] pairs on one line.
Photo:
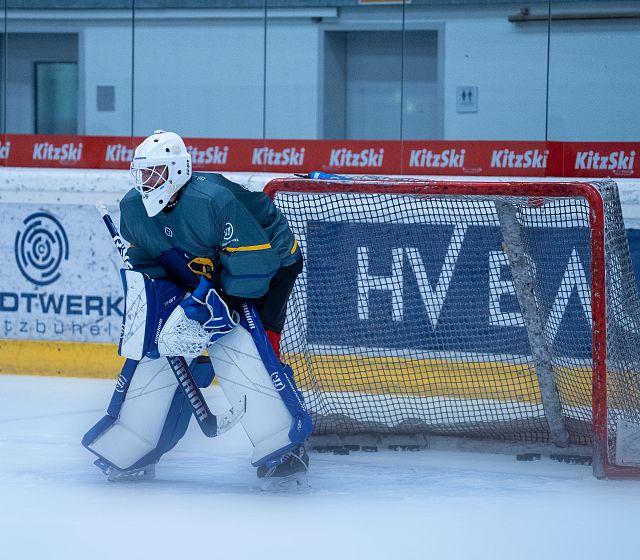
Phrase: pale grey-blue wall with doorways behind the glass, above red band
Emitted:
{"points": [[203, 72]]}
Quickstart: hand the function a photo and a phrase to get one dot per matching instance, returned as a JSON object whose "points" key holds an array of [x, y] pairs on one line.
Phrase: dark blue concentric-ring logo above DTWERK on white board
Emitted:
{"points": [[40, 248]]}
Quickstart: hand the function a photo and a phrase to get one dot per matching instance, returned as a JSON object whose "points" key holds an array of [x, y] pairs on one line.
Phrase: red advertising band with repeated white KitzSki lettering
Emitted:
{"points": [[413, 157]]}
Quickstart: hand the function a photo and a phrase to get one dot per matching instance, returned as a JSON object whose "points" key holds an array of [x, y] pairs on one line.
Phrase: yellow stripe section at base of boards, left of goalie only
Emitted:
{"points": [[65, 359]]}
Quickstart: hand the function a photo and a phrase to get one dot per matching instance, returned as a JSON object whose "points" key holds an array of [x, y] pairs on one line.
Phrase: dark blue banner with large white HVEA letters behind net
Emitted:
{"points": [[440, 287]]}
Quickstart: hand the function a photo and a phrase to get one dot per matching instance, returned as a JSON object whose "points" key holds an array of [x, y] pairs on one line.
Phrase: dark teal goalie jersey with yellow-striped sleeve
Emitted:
{"points": [[218, 229]]}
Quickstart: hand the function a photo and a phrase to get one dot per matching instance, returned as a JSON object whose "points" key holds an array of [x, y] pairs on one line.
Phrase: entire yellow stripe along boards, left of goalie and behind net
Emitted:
{"points": [[444, 378]]}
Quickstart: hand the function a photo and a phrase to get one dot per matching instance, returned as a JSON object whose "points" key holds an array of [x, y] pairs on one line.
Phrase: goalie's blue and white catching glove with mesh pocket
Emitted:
{"points": [[199, 320]]}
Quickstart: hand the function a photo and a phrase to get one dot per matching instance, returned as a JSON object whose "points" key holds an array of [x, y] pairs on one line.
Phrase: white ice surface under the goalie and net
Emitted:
{"points": [[205, 501]]}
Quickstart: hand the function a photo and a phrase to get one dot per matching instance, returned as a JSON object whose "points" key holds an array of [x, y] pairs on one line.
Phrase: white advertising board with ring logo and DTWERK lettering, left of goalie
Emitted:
{"points": [[60, 274]]}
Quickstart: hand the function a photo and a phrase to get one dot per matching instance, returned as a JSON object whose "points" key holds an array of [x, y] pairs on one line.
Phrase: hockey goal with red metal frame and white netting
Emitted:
{"points": [[493, 311]]}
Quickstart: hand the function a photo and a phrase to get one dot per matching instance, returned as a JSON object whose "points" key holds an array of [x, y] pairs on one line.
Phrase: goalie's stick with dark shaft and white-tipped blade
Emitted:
{"points": [[211, 425]]}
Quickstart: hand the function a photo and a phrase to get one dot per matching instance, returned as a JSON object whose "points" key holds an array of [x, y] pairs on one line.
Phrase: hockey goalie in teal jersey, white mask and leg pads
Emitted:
{"points": [[211, 267]]}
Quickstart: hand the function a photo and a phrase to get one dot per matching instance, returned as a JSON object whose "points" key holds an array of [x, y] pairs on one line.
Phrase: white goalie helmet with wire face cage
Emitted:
{"points": [[160, 167]]}
